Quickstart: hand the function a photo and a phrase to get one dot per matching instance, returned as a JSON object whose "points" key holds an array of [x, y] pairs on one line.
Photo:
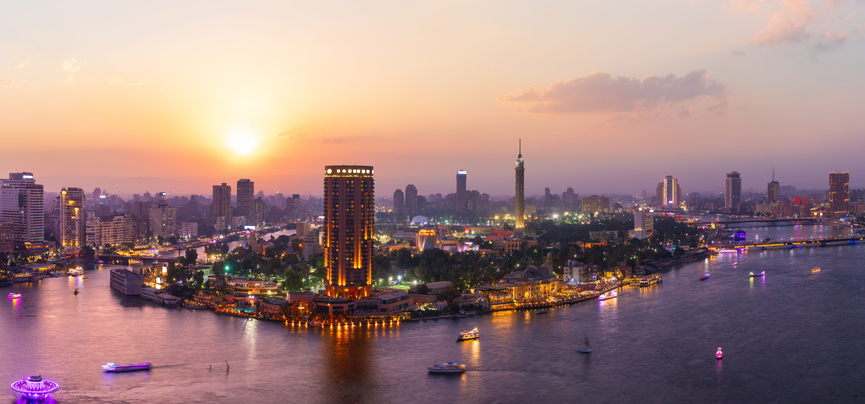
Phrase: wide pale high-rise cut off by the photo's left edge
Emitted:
{"points": [[21, 205]]}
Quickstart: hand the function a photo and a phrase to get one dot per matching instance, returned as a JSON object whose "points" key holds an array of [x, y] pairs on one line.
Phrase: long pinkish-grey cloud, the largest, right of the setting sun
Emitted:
{"points": [[601, 92]]}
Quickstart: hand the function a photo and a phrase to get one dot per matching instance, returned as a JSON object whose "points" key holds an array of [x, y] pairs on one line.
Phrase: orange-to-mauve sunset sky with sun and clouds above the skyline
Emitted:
{"points": [[607, 96]]}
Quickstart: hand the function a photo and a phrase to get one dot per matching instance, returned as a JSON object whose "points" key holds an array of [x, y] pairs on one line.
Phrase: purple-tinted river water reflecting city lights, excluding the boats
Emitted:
{"points": [[794, 336]]}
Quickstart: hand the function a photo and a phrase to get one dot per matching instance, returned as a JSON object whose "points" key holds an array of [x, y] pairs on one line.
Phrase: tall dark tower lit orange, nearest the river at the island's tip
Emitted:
{"points": [[349, 216]]}
